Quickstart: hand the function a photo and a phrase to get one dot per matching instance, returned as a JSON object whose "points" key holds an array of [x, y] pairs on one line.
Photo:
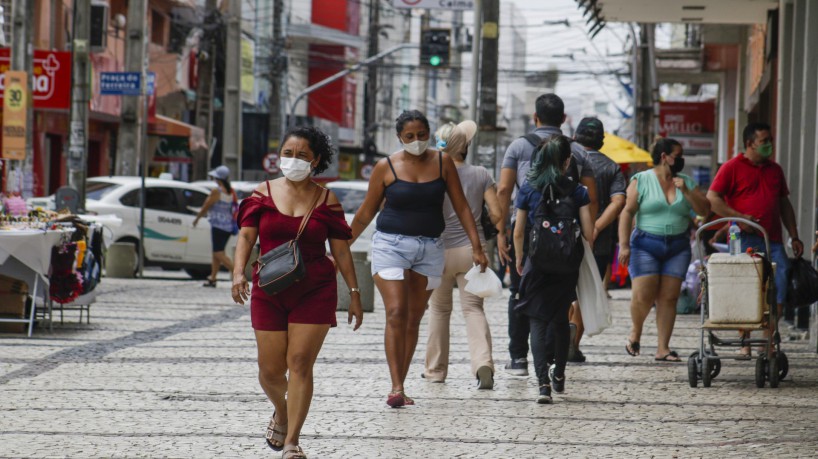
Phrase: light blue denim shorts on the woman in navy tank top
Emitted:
{"points": [[424, 255]]}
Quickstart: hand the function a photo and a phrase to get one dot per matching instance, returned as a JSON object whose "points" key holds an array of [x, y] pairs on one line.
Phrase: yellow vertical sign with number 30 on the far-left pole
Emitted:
{"points": [[15, 100]]}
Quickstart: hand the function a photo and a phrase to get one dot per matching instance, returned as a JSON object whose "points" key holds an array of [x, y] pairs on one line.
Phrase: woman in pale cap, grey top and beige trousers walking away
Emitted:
{"points": [[479, 188]]}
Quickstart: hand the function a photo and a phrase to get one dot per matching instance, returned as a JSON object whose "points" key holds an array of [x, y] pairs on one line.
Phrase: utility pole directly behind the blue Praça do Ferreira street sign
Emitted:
{"points": [[130, 142]]}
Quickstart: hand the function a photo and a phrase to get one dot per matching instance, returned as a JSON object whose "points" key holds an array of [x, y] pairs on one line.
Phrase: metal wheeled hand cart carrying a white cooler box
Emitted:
{"points": [[738, 294]]}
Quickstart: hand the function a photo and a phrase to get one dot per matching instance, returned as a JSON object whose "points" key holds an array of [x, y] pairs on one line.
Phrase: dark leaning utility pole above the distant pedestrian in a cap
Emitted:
{"points": [[204, 90]]}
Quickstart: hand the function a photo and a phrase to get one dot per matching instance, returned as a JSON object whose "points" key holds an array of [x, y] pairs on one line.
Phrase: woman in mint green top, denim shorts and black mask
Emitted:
{"points": [[657, 252]]}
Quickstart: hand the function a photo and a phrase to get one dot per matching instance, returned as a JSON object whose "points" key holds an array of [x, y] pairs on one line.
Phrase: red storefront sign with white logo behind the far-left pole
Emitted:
{"points": [[51, 83]]}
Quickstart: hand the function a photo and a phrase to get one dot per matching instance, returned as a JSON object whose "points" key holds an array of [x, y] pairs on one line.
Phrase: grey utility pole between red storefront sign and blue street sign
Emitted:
{"points": [[80, 73]]}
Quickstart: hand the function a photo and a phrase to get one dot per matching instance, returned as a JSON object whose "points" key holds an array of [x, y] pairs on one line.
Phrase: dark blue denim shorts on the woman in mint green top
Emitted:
{"points": [[663, 255]]}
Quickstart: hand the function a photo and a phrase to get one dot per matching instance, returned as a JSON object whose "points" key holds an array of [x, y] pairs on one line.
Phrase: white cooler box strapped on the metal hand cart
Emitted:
{"points": [[735, 290]]}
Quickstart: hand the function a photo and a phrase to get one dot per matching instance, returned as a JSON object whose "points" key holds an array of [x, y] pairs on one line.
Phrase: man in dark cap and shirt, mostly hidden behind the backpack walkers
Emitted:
{"points": [[610, 185]]}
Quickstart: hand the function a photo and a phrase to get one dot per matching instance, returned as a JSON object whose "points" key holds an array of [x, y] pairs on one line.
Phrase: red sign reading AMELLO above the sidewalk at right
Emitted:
{"points": [[693, 124]]}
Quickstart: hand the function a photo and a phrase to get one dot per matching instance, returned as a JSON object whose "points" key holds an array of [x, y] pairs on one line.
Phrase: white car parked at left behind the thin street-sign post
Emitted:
{"points": [[171, 241]]}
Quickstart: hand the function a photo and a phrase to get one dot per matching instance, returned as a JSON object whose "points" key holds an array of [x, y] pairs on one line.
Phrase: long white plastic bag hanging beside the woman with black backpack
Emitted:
{"points": [[593, 301]]}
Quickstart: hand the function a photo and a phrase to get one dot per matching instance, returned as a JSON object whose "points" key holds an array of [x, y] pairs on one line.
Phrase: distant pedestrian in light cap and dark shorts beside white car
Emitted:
{"points": [[220, 207]]}
